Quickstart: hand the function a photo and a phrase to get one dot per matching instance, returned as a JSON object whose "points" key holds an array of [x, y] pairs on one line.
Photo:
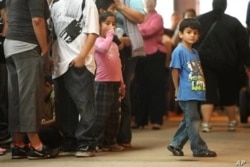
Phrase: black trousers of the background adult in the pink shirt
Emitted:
{"points": [[151, 89]]}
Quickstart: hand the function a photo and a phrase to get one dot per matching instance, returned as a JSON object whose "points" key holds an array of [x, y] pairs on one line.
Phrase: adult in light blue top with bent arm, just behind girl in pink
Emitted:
{"points": [[131, 13]]}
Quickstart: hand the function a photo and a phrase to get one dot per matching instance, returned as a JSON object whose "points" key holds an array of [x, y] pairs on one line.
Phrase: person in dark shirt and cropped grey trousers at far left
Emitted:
{"points": [[25, 47]]}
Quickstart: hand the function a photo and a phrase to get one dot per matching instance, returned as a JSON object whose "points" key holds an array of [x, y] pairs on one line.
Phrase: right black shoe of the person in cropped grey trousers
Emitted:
{"points": [[43, 154]]}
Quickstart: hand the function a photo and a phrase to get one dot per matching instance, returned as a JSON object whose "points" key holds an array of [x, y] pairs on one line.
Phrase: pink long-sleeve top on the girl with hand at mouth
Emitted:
{"points": [[108, 63]]}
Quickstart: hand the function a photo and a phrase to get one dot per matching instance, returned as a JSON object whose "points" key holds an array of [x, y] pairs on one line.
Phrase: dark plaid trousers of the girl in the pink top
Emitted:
{"points": [[107, 117]]}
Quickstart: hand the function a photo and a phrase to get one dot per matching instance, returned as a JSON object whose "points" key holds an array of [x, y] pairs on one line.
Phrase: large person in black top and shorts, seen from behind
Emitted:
{"points": [[224, 57]]}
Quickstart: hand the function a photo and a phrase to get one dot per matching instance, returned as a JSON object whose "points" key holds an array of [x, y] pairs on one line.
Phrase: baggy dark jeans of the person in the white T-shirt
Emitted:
{"points": [[75, 107]]}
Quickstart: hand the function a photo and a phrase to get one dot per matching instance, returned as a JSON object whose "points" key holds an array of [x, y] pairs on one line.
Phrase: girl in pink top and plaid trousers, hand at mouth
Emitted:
{"points": [[109, 85]]}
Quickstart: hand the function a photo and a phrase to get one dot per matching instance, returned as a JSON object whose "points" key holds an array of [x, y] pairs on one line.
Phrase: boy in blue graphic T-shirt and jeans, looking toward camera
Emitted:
{"points": [[190, 87]]}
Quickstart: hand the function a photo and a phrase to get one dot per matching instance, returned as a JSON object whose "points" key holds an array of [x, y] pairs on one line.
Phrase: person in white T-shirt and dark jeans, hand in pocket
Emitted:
{"points": [[76, 28]]}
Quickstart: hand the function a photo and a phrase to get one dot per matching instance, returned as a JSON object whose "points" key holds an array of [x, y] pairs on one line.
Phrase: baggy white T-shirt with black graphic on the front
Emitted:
{"points": [[64, 50]]}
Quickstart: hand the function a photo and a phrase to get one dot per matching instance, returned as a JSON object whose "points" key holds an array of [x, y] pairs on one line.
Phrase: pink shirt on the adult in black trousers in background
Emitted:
{"points": [[152, 31]]}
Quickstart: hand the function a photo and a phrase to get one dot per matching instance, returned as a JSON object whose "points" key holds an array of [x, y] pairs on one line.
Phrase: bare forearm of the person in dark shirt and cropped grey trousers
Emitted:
{"points": [[40, 30]]}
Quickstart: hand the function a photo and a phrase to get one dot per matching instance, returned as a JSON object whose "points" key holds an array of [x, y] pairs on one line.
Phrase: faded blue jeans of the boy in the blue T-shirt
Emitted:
{"points": [[189, 128]]}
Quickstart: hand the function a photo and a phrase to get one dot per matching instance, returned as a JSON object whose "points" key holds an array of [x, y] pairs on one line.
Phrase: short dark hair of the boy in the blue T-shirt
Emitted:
{"points": [[189, 22]]}
